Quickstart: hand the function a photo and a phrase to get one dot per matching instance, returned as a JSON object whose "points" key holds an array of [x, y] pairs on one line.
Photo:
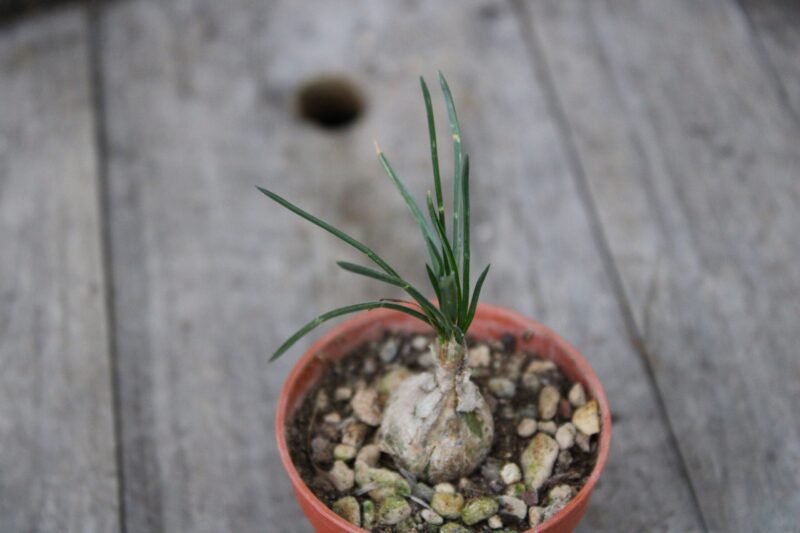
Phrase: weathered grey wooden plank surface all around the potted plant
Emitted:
{"points": [[635, 185]]}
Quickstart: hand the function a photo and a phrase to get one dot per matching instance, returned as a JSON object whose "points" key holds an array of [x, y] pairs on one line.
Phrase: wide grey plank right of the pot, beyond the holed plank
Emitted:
{"points": [[691, 160]]}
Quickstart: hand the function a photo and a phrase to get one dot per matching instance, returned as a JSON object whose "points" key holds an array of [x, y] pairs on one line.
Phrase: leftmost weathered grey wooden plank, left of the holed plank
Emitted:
{"points": [[57, 465]]}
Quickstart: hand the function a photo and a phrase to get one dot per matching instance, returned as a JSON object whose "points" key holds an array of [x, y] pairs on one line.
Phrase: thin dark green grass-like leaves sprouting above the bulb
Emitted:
{"points": [[448, 270]]}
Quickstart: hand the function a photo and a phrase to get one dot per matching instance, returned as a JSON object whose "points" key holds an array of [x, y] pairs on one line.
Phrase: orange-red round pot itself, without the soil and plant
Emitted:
{"points": [[491, 322]]}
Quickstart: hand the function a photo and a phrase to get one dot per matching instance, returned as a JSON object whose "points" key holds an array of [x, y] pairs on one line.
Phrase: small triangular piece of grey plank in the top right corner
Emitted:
{"points": [[776, 24]]}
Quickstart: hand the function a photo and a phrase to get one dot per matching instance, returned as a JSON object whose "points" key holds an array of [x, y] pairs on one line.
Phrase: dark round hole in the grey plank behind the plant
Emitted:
{"points": [[331, 102]]}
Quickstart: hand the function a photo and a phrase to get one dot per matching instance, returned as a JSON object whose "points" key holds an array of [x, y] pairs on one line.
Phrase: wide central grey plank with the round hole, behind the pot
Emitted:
{"points": [[209, 277]]}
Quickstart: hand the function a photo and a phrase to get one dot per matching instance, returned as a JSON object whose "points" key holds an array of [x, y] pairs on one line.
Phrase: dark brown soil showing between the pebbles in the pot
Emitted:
{"points": [[364, 366]]}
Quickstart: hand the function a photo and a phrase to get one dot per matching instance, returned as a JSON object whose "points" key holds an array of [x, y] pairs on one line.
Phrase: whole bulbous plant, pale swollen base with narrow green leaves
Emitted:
{"points": [[436, 424]]}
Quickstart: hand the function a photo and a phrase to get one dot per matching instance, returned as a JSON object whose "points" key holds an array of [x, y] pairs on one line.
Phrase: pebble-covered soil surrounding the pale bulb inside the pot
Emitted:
{"points": [[544, 449]]}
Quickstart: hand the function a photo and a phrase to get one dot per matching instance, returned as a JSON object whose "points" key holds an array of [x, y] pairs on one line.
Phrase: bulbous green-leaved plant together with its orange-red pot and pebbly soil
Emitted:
{"points": [[439, 414]]}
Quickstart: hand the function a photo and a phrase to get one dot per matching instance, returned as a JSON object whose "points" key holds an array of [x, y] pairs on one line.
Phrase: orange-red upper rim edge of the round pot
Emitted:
{"points": [[588, 374]]}
